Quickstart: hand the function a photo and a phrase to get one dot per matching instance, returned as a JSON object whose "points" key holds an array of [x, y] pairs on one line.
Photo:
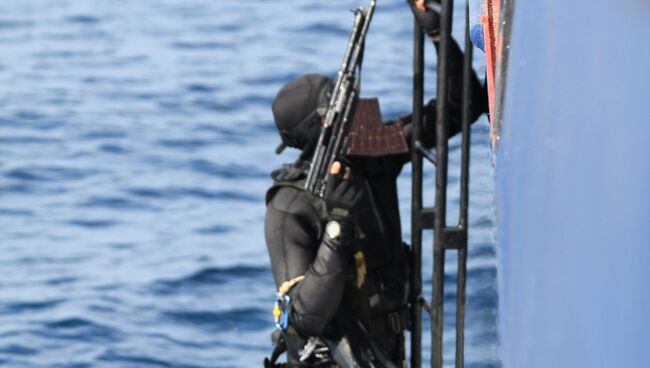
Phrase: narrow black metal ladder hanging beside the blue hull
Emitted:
{"points": [[434, 218]]}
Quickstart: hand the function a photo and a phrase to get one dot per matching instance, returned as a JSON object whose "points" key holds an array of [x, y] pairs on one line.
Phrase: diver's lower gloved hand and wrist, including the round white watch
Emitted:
{"points": [[343, 198]]}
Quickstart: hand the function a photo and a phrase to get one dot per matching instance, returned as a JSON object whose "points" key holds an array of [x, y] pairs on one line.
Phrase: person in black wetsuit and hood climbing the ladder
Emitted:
{"points": [[340, 265]]}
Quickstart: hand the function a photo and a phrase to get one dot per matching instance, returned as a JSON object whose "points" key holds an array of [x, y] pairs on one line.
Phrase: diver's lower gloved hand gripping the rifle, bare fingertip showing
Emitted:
{"points": [[344, 196]]}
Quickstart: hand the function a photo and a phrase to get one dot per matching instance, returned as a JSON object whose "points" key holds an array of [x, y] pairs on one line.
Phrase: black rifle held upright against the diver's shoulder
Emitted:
{"points": [[331, 144]]}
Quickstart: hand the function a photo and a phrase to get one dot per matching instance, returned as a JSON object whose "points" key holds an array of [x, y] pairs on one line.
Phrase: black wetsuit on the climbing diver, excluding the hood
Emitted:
{"points": [[327, 302]]}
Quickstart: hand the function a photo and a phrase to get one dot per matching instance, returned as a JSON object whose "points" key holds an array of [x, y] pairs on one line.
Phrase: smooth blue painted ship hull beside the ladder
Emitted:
{"points": [[572, 178]]}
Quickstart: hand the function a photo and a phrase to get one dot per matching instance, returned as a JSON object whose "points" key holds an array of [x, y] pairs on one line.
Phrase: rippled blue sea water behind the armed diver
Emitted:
{"points": [[136, 138]]}
